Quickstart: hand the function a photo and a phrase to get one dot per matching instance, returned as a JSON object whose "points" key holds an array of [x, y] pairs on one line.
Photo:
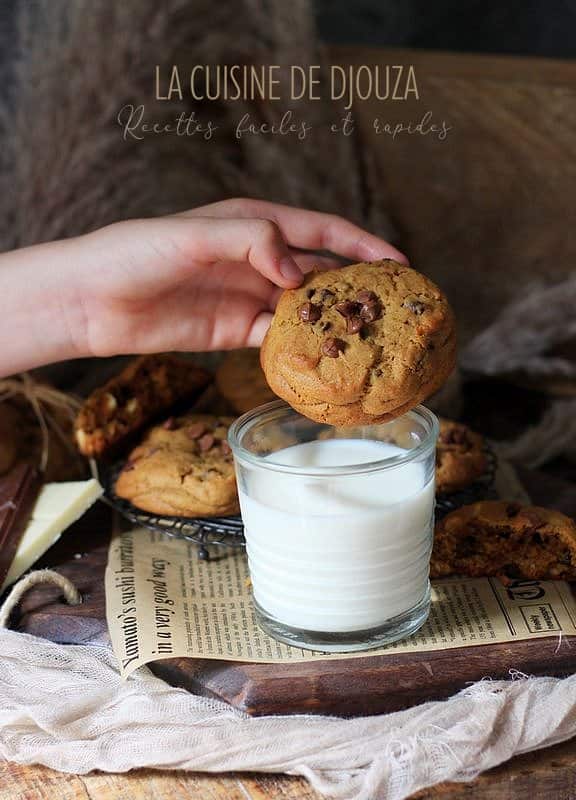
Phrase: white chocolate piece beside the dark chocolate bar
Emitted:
{"points": [[58, 505]]}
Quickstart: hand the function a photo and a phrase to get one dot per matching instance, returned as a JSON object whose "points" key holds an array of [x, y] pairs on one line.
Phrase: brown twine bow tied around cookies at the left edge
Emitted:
{"points": [[42, 398]]}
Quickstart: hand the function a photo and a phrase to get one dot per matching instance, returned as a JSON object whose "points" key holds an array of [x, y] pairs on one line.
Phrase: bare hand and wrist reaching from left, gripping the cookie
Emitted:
{"points": [[205, 279]]}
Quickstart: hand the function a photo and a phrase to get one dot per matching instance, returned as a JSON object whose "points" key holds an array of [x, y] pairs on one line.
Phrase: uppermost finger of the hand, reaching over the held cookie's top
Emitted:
{"points": [[312, 230]]}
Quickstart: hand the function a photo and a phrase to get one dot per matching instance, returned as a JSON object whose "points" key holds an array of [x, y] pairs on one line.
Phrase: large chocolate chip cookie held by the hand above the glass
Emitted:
{"points": [[361, 344]]}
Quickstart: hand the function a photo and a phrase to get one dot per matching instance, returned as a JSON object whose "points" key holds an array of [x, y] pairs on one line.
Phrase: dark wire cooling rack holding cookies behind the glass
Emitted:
{"points": [[206, 532]]}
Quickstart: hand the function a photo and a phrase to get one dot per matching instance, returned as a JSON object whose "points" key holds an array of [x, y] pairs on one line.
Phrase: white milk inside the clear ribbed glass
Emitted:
{"points": [[341, 553]]}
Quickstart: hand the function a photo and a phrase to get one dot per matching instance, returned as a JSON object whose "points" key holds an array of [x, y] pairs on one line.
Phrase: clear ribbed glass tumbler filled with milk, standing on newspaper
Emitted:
{"points": [[338, 525]]}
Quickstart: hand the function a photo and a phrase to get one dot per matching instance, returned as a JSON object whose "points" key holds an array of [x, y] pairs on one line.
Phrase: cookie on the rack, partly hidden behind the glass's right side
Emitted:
{"points": [[460, 457]]}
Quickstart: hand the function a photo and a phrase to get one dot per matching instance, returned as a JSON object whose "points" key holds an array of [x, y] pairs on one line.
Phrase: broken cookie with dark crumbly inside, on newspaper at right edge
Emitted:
{"points": [[506, 540]]}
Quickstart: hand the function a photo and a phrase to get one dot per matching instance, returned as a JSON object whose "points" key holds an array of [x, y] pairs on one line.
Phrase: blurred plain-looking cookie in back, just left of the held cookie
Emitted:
{"points": [[242, 382]]}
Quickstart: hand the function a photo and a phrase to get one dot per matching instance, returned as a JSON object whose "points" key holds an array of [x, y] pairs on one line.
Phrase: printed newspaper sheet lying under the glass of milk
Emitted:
{"points": [[162, 601]]}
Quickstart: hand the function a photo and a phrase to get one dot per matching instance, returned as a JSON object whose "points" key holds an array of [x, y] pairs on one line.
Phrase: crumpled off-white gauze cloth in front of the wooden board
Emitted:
{"points": [[66, 707]]}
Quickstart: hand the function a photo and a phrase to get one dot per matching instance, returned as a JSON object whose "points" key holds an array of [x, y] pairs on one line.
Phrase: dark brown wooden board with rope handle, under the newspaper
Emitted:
{"points": [[371, 685]]}
